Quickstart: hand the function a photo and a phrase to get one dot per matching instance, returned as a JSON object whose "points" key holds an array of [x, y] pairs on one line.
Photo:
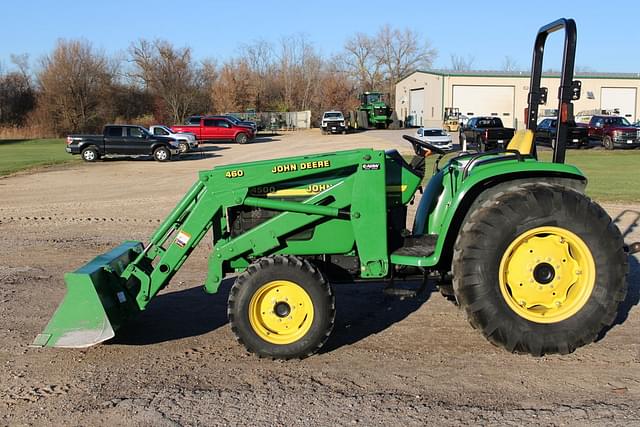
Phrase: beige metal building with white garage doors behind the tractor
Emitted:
{"points": [[422, 96]]}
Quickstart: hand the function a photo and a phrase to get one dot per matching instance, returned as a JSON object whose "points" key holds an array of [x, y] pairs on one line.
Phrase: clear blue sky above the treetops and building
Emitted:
{"points": [[608, 36]]}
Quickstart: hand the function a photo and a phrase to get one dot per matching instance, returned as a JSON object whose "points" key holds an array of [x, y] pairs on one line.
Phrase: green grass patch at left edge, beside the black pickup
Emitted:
{"points": [[17, 155]]}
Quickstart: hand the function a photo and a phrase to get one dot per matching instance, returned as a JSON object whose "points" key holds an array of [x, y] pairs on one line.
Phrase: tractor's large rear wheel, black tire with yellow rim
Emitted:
{"points": [[540, 269]]}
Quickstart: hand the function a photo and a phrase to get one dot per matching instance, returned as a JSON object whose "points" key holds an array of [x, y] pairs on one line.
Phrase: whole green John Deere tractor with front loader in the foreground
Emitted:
{"points": [[536, 265]]}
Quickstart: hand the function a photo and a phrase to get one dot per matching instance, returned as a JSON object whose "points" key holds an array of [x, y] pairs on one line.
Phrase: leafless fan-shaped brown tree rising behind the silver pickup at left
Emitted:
{"points": [[168, 73]]}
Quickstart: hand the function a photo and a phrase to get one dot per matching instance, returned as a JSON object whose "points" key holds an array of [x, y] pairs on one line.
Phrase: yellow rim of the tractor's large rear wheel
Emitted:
{"points": [[547, 274]]}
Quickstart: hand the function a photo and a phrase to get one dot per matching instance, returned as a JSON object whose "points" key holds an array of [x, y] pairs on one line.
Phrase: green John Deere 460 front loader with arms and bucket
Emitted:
{"points": [[351, 210]]}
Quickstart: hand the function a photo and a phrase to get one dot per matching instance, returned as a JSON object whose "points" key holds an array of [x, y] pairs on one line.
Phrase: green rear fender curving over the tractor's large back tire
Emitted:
{"points": [[448, 200]]}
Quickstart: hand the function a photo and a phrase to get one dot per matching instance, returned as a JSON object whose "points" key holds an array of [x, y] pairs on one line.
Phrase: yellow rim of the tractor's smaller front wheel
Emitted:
{"points": [[281, 312]]}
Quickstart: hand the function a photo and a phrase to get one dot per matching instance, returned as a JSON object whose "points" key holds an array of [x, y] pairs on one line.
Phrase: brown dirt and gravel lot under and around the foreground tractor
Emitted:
{"points": [[388, 362]]}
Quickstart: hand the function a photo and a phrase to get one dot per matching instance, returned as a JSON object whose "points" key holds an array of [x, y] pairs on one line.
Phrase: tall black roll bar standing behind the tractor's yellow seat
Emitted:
{"points": [[569, 89]]}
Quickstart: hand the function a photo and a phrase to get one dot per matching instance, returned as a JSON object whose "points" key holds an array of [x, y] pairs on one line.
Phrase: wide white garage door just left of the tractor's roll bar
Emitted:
{"points": [[496, 101]]}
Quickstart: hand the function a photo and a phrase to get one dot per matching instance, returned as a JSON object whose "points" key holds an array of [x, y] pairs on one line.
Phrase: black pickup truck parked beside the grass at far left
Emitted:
{"points": [[122, 140]]}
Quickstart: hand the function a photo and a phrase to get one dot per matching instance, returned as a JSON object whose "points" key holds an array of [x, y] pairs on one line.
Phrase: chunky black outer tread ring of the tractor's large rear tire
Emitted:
{"points": [[529, 197]]}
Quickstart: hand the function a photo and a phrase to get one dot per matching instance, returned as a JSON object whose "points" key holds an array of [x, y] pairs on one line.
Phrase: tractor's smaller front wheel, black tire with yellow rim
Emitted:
{"points": [[281, 307]]}
